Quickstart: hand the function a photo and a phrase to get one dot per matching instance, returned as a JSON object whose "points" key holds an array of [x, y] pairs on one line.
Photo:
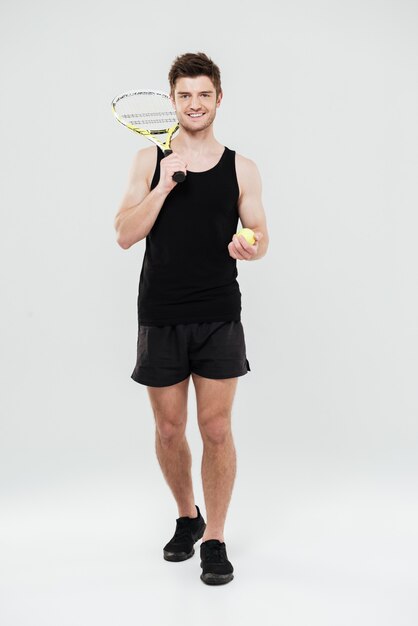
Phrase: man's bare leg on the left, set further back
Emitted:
{"points": [[170, 411]]}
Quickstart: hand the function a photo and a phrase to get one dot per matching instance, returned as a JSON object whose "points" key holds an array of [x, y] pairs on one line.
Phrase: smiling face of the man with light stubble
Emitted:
{"points": [[195, 102]]}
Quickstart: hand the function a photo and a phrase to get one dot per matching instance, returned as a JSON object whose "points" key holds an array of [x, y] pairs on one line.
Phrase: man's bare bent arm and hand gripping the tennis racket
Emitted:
{"points": [[140, 206]]}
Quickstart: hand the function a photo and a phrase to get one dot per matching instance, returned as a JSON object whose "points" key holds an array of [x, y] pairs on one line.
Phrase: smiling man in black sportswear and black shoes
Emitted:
{"points": [[189, 301]]}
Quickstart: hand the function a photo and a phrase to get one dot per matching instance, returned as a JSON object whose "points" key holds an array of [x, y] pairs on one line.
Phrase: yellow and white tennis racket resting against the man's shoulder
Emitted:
{"points": [[151, 114]]}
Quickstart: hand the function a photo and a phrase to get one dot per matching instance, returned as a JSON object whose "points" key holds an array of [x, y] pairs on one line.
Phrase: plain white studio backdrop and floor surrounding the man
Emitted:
{"points": [[322, 527]]}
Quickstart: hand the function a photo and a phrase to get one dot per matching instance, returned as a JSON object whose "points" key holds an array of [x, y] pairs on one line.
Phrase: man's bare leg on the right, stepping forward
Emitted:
{"points": [[214, 405]]}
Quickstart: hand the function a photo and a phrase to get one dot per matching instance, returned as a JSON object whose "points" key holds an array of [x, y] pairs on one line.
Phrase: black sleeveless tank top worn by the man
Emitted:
{"points": [[187, 274]]}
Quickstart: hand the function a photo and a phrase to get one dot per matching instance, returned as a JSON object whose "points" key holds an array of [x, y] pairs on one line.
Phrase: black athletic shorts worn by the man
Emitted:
{"points": [[166, 355]]}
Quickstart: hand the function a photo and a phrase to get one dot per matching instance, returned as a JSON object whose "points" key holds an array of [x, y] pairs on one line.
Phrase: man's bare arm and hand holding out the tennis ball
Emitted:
{"points": [[251, 213]]}
